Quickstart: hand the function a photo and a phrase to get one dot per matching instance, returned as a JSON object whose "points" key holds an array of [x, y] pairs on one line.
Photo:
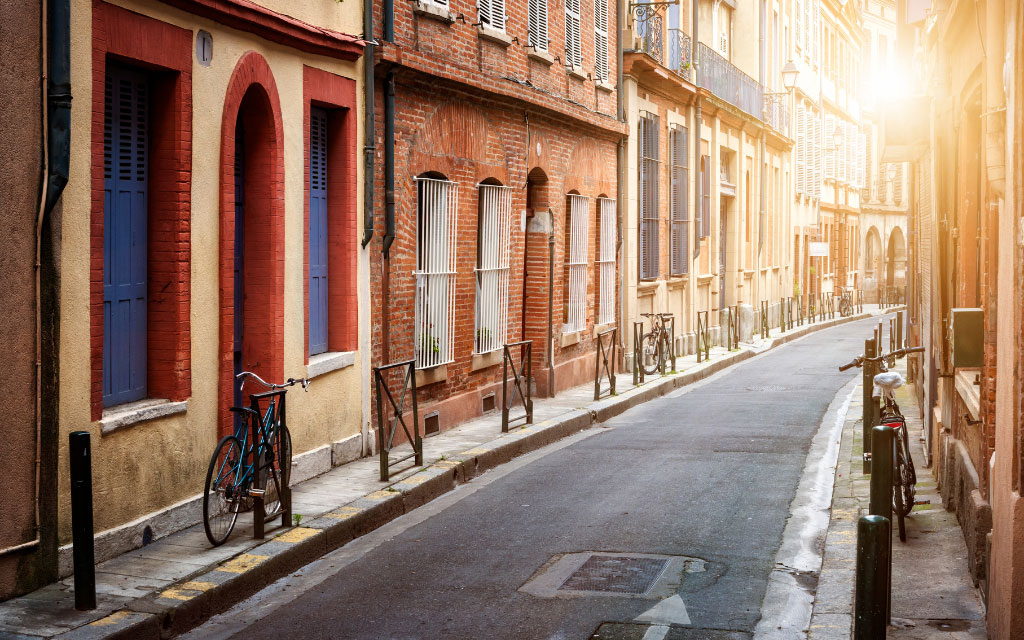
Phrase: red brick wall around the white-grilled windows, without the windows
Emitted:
{"points": [[472, 109]]}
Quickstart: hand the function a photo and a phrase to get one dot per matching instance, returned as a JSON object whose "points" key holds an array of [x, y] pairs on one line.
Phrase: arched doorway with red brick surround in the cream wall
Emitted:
{"points": [[252, 233]]}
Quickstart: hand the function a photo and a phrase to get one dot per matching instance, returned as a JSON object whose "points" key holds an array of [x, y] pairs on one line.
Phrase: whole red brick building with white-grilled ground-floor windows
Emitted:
{"points": [[497, 165]]}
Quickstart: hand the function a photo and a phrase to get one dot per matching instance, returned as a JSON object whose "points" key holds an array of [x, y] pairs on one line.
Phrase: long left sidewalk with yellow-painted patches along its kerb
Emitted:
{"points": [[178, 582]]}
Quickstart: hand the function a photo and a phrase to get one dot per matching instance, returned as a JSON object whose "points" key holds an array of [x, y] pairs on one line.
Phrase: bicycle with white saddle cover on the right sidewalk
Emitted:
{"points": [[905, 477]]}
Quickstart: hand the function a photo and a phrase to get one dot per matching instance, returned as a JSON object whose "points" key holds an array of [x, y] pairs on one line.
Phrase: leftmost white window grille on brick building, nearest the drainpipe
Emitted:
{"points": [[436, 266]]}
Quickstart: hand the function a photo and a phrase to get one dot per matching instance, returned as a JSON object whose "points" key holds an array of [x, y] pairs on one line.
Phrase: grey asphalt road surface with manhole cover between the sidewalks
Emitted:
{"points": [[685, 496]]}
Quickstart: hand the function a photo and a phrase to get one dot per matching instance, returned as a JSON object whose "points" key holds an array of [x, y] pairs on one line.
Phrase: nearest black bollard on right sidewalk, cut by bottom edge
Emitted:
{"points": [[873, 578]]}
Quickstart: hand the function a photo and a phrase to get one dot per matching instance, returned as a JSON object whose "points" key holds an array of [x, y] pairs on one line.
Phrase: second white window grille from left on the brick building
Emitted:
{"points": [[494, 251]]}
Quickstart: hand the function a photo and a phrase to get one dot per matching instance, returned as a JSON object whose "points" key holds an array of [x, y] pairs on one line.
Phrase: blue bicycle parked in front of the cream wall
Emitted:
{"points": [[254, 461]]}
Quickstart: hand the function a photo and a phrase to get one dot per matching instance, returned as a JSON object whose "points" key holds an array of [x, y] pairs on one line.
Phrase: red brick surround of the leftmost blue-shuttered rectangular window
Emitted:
{"points": [[122, 35]]}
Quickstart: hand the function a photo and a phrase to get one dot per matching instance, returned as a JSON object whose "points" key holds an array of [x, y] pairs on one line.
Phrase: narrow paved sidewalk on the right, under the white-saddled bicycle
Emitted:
{"points": [[932, 592]]}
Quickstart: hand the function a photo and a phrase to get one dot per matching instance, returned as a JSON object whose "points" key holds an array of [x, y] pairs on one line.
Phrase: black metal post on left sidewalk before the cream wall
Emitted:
{"points": [[81, 521]]}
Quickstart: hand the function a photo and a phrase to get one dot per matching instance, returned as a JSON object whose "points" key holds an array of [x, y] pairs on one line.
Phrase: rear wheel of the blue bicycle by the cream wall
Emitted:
{"points": [[224, 493]]}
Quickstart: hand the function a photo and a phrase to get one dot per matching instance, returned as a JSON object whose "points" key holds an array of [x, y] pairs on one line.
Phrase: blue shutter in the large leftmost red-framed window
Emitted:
{"points": [[126, 148]]}
